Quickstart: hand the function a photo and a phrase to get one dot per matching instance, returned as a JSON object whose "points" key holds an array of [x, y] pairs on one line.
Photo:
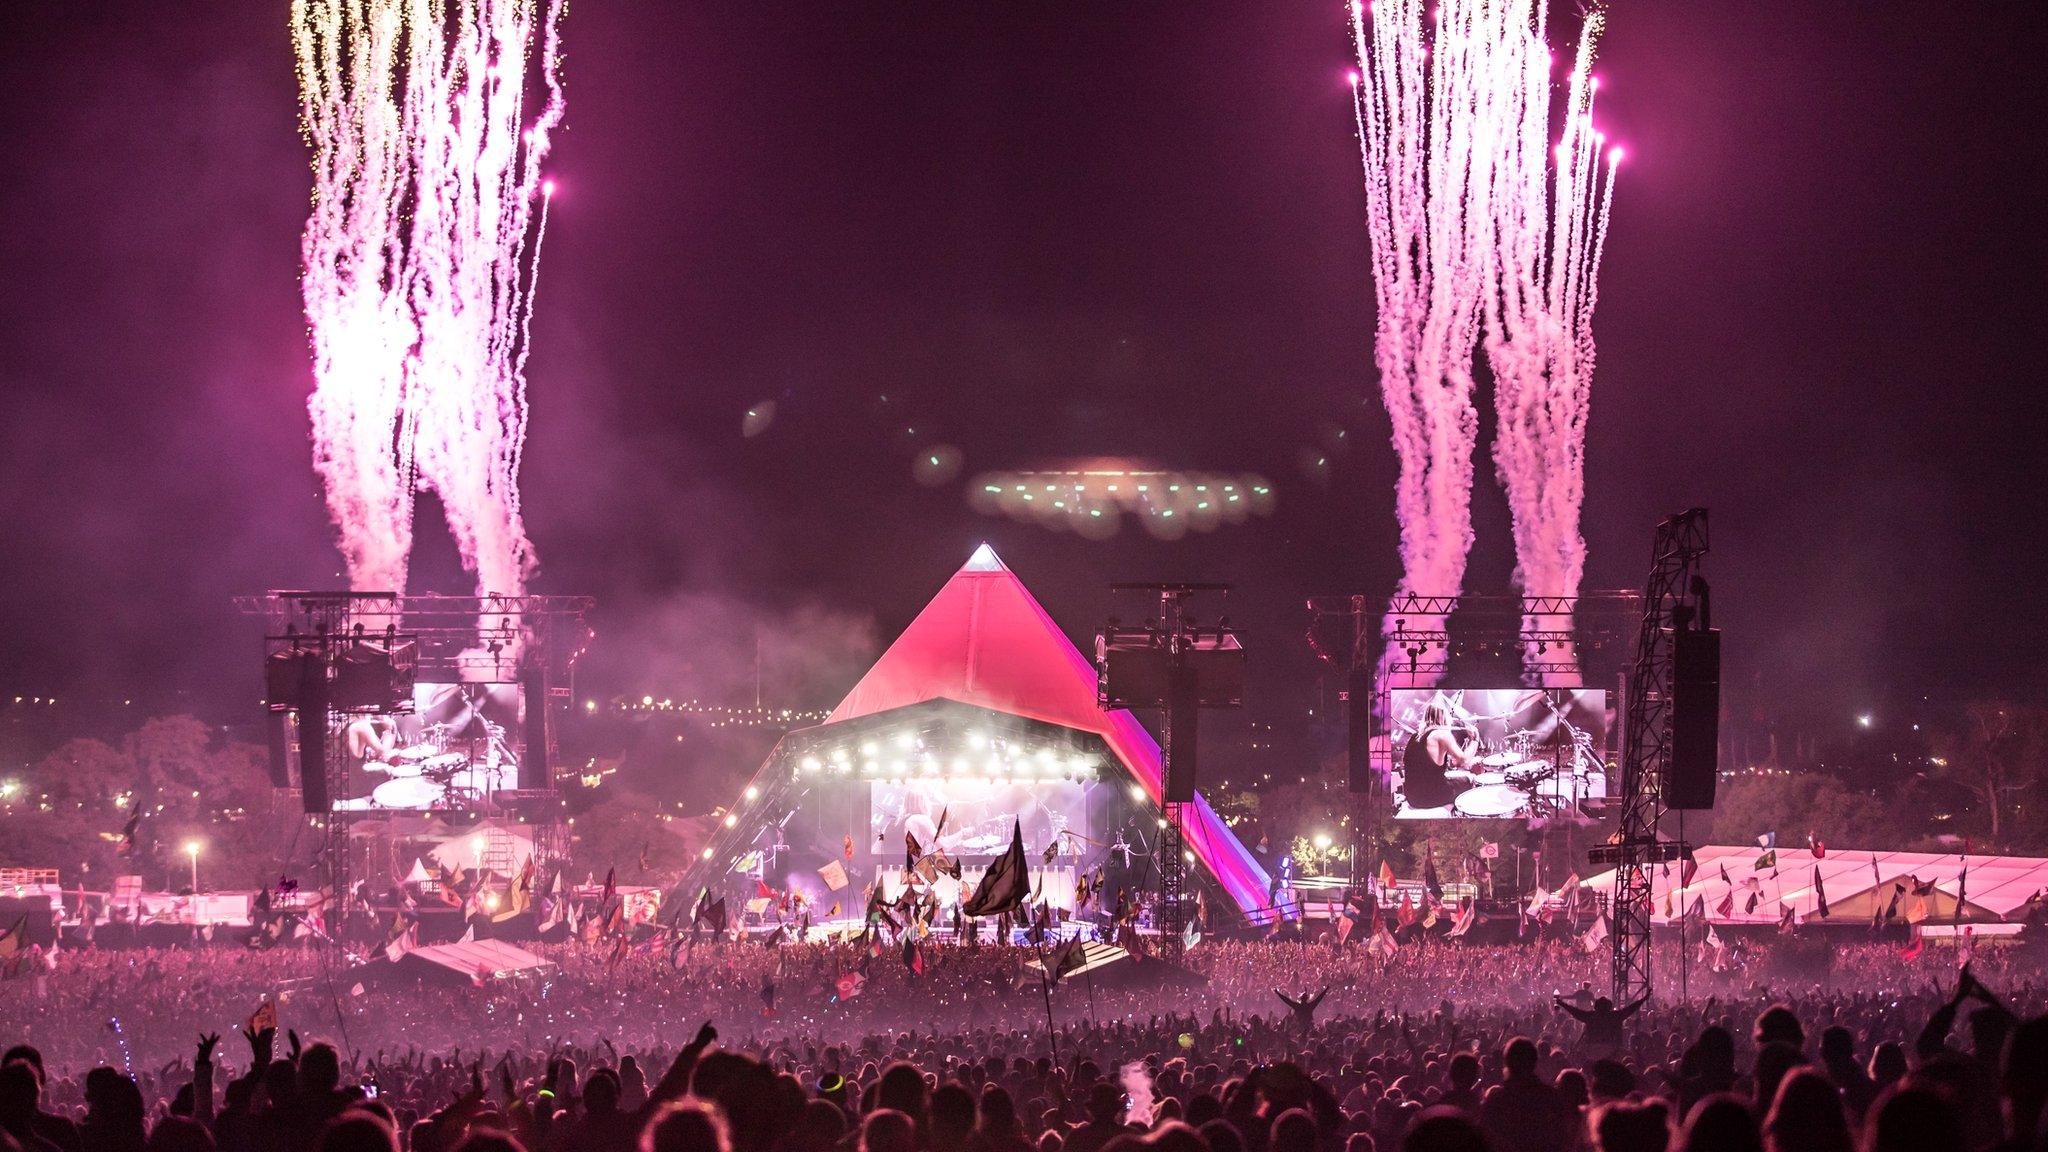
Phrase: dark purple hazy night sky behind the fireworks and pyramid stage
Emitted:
{"points": [[1039, 233]]}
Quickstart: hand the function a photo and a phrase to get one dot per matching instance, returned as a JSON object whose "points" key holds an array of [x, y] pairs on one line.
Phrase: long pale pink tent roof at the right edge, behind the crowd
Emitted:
{"points": [[1859, 882]]}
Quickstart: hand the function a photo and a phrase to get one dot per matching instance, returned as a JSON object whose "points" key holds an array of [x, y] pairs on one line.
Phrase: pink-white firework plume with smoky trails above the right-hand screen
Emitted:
{"points": [[1453, 120]]}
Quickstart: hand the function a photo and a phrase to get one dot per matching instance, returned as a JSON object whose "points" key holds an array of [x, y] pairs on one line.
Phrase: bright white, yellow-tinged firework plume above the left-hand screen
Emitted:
{"points": [[421, 263]]}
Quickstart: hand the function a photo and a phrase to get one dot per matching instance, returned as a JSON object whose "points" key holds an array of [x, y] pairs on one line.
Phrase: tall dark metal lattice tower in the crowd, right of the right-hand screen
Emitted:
{"points": [[1670, 604]]}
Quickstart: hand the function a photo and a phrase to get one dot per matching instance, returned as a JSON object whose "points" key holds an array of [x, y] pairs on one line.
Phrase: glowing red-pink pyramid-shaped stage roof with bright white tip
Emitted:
{"points": [[984, 641]]}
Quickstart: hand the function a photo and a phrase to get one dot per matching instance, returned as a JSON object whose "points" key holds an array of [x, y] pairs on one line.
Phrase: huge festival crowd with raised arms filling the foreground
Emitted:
{"points": [[1287, 1048]]}
